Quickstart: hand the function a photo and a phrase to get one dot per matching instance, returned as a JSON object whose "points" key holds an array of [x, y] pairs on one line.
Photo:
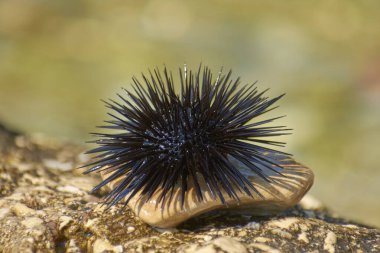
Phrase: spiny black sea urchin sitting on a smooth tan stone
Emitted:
{"points": [[167, 140]]}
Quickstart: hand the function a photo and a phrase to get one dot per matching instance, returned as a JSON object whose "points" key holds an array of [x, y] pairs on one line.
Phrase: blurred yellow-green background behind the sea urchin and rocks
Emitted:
{"points": [[59, 58]]}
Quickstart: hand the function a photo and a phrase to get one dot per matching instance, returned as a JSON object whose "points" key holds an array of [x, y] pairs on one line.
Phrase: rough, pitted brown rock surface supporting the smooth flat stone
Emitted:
{"points": [[45, 206]]}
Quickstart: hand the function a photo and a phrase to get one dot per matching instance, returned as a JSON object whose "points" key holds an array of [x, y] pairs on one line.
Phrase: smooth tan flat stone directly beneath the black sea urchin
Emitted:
{"points": [[295, 181]]}
